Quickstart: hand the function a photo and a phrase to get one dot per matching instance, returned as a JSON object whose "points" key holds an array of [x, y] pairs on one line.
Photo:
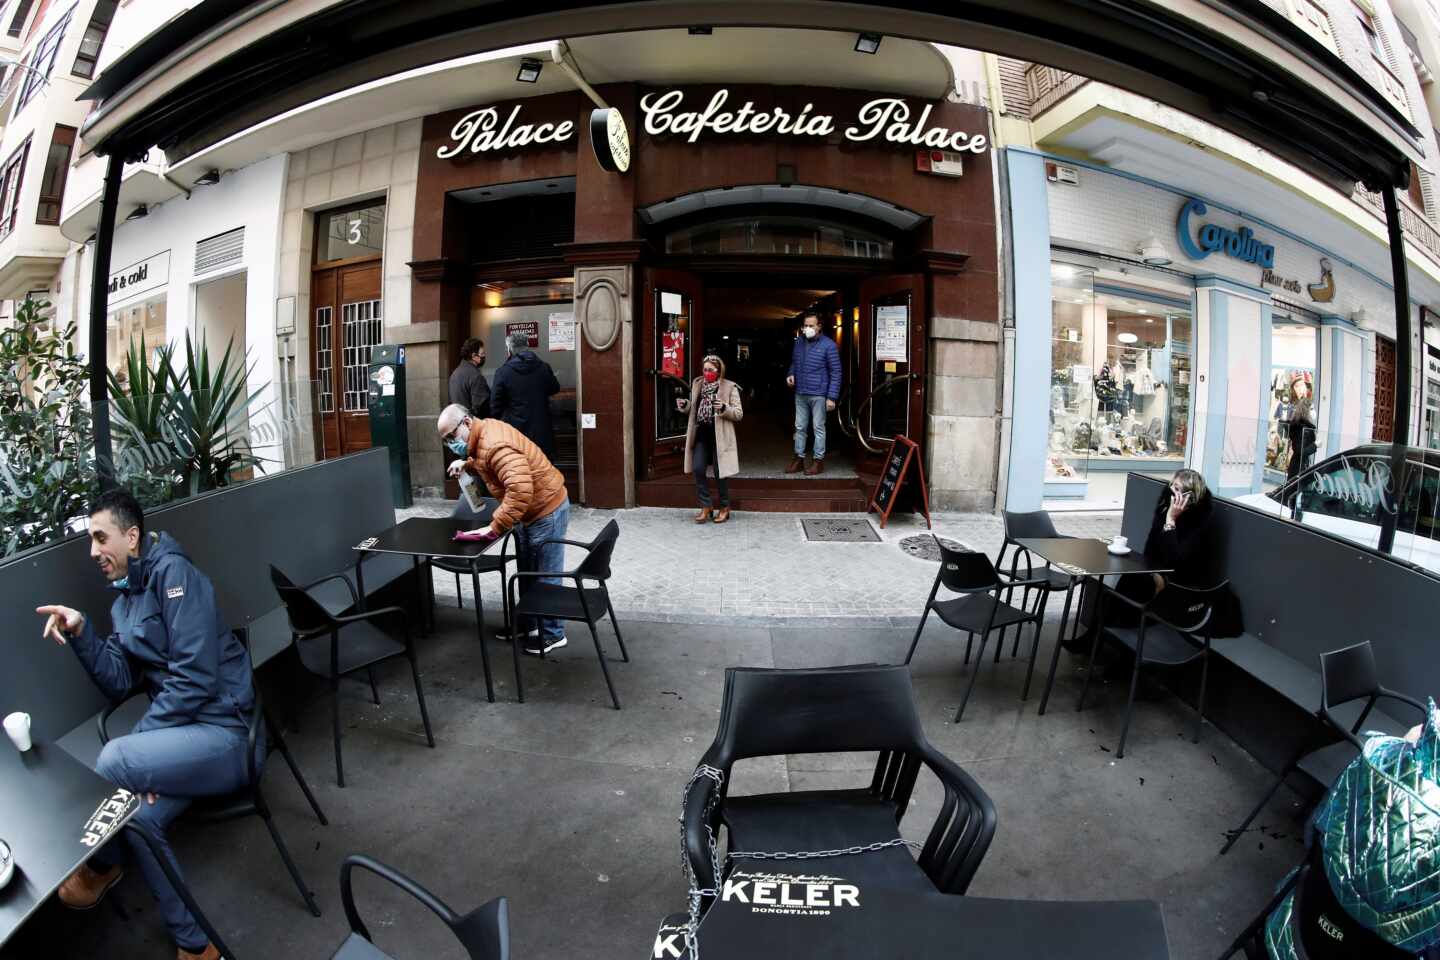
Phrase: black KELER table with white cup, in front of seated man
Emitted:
{"points": [[55, 812]]}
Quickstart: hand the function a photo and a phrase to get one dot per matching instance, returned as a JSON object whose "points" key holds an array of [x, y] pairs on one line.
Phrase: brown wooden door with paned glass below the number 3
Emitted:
{"points": [[346, 325]]}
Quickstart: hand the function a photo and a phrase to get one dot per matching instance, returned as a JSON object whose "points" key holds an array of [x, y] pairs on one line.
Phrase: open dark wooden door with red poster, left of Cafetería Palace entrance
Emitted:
{"points": [[672, 335]]}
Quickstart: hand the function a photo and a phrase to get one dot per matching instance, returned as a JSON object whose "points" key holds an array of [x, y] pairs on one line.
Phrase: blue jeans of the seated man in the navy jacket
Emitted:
{"points": [[178, 765]]}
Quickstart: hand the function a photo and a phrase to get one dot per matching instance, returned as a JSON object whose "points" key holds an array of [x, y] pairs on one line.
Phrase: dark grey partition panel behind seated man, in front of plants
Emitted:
{"points": [[306, 522]]}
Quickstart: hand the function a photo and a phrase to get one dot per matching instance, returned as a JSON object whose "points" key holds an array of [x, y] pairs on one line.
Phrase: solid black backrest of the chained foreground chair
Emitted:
{"points": [[770, 713]]}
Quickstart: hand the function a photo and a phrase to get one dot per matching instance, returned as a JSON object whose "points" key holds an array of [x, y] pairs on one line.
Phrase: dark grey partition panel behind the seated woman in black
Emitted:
{"points": [[1302, 594]]}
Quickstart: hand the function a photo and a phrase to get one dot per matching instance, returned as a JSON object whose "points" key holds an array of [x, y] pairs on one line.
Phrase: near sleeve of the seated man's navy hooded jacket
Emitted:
{"points": [[192, 630]]}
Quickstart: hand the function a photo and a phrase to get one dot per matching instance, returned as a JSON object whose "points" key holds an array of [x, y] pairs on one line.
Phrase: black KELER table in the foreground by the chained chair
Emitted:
{"points": [[777, 920]]}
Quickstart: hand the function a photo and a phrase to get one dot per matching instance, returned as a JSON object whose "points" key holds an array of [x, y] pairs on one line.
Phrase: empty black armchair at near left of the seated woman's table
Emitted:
{"points": [[980, 608]]}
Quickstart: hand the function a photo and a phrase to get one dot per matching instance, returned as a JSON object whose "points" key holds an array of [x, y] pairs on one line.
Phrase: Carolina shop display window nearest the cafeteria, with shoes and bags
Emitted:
{"points": [[1121, 378]]}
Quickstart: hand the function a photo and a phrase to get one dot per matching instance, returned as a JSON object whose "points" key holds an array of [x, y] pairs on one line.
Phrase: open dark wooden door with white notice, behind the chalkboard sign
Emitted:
{"points": [[892, 356]]}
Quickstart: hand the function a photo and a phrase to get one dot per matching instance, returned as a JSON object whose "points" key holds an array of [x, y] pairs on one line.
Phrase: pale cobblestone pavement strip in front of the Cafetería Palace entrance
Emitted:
{"points": [[760, 569]]}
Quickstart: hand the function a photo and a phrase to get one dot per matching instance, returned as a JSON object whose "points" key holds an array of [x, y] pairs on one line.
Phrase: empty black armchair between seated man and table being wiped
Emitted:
{"points": [[365, 647]]}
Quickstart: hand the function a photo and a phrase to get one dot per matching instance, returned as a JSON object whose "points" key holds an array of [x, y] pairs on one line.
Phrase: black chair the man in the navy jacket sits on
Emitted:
{"points": [[248, 801]]}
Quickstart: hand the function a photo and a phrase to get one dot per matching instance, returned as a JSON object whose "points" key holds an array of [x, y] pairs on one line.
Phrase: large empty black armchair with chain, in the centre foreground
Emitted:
{"points": [[768, 713]]}
